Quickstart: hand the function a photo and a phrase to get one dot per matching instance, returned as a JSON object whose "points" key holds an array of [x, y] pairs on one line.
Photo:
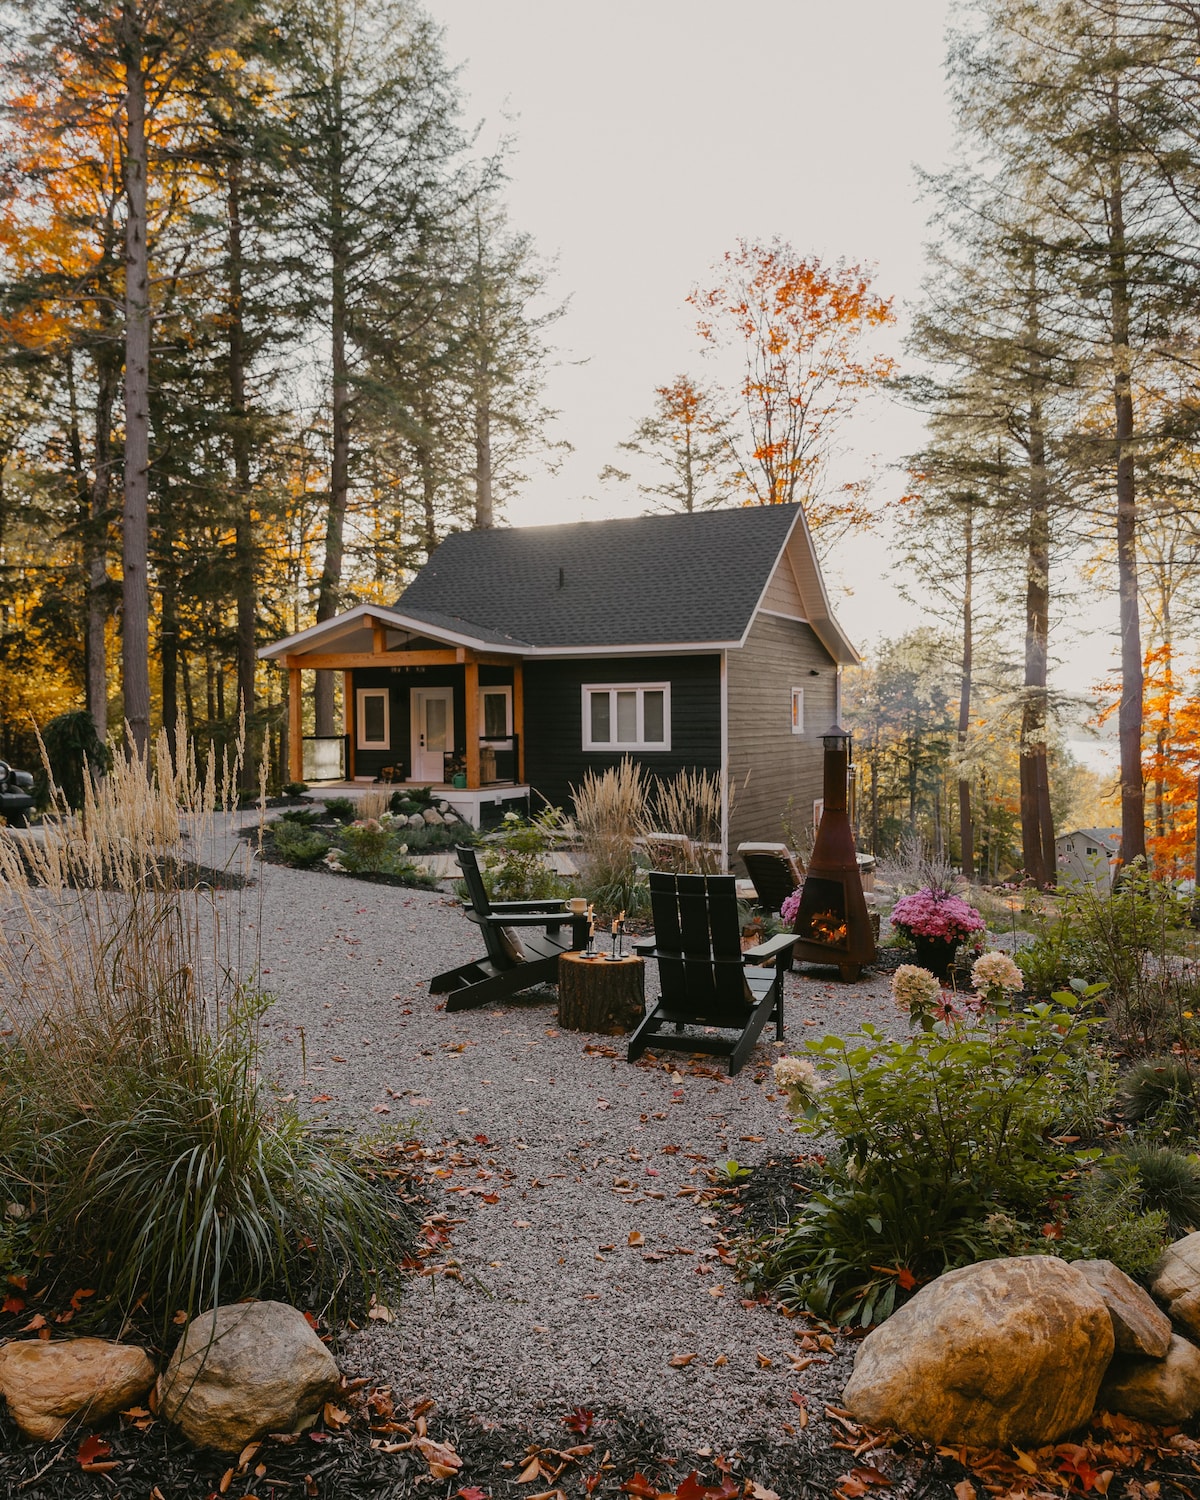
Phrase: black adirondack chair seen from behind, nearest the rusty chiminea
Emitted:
{"points": [[707, 980]]}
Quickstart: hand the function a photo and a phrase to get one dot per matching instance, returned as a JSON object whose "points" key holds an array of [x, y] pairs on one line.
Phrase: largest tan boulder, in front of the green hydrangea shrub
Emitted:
{"points": [[995, 1354]]}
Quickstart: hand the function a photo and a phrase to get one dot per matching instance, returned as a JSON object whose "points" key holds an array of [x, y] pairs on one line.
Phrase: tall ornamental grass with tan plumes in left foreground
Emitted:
{"points": [[143, 1153]]}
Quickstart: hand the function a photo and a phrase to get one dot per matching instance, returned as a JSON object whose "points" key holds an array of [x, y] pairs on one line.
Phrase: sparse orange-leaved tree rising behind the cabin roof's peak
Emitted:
{"points": [[802, 331]]}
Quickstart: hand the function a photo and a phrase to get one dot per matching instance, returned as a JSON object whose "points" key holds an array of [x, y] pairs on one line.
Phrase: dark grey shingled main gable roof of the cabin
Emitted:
{"points": [[649, 581]]}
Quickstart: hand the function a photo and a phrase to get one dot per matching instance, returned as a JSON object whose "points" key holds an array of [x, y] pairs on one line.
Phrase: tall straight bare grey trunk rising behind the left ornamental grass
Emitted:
{"points": [[136, 530]]}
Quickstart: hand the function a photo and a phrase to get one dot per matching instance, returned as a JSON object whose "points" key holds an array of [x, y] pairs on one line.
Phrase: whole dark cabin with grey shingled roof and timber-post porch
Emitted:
{"points": [[518, 659]]}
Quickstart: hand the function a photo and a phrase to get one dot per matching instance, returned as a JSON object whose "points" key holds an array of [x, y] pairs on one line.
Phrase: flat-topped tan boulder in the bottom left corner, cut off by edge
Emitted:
{"points": [[49, 1384]]}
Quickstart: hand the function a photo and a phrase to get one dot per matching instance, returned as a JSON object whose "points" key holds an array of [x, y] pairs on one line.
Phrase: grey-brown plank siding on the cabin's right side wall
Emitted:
{"points": [[778, 656]]}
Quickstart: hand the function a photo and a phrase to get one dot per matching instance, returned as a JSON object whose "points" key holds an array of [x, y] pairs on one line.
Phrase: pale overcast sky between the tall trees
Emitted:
{"points": [[650, 136]]}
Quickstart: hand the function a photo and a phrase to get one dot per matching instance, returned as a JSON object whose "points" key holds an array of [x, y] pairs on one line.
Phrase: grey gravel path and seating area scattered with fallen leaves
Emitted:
{"points": [[553, 1154]]}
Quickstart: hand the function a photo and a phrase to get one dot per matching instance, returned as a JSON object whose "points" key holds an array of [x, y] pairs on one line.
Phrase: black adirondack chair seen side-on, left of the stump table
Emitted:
{"points": [[523, 943]]}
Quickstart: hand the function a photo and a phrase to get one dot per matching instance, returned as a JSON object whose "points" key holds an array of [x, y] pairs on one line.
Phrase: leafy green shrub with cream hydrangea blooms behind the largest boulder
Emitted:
{"points": [[934, 1136]]}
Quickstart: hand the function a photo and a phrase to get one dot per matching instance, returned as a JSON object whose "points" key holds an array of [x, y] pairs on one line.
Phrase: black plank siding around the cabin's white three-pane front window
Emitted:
{"points": [[554, 719]]}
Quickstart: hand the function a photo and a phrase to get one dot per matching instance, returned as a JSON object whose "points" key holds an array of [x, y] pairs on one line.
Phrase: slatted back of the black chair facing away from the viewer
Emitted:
{"points": [[698, 946]]}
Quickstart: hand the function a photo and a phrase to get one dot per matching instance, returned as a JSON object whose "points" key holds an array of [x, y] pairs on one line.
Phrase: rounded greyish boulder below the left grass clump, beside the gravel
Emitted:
{"points": [[244, 1372]]}
